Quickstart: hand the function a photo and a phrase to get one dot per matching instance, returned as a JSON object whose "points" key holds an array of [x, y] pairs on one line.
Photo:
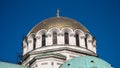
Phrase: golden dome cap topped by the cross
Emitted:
{"points": [[59, 22]]}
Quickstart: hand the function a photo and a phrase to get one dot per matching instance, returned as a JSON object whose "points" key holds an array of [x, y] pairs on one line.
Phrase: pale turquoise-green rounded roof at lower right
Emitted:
{"points": [[86, 62]]}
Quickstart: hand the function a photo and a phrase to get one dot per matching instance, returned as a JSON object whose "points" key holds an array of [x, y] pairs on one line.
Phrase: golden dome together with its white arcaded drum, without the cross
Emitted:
{"points": [[58, 35]]}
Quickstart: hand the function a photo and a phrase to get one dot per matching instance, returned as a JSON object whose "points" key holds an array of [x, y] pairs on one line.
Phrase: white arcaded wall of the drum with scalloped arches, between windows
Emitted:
{"points": [[60, 39]]}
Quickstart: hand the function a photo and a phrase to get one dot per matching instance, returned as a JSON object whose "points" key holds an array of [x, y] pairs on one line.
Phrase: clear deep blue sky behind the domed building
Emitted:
{"points": [[101, 17]]}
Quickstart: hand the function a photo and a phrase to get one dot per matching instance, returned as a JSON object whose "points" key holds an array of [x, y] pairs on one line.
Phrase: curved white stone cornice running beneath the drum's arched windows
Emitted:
{"points": [[65, 47]]}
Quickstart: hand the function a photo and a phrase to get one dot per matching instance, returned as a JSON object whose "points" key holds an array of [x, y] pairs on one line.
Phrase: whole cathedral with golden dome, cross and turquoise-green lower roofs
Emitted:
{"points": [[59, 42]]}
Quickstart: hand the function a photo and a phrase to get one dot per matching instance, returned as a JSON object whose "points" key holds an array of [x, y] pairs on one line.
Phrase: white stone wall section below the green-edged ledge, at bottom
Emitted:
{"points": [[47, 63]]}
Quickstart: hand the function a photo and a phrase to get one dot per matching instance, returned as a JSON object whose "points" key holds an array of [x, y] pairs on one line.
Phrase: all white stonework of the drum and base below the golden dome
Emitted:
{"points": [[28, 44]]}
